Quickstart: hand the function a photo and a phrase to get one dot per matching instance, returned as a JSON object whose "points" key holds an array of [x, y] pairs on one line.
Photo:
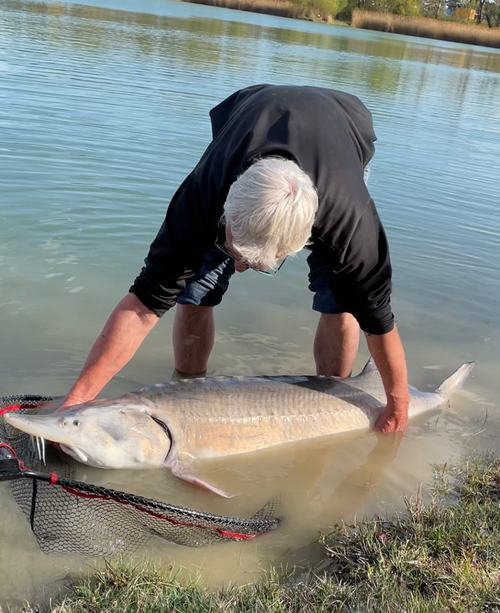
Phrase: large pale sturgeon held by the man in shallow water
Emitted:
{"points": [[174, 423]]}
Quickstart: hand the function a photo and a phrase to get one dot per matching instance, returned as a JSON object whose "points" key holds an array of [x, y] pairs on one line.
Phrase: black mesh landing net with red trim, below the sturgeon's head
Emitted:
{"points": [[75, 517]]}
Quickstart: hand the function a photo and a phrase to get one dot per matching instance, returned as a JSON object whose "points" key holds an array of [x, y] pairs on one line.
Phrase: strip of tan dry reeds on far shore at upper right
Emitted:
{"points": [[472, 34]]}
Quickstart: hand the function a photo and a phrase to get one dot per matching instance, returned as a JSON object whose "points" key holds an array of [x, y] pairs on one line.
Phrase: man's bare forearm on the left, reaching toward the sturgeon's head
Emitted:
{"points": [[126, 328]]}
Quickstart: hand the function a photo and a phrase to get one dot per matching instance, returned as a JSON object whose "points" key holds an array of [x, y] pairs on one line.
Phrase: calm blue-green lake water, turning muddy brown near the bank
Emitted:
{"points": [[104, 110]]}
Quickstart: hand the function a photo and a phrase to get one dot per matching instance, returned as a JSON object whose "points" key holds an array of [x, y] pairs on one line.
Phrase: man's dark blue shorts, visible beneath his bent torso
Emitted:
{"points": [[208, 286]]}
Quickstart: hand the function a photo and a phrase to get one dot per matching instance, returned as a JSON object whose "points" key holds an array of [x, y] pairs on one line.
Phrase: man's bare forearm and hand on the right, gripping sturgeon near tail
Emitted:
{"points": [[388, 353]]}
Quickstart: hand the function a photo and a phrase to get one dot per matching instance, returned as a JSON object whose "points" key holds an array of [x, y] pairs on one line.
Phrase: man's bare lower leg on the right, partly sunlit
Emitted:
{"points": [[336, 344]]}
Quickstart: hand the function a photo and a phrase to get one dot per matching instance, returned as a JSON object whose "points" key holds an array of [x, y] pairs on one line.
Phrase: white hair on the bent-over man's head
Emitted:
{"points": [[270, 211]]}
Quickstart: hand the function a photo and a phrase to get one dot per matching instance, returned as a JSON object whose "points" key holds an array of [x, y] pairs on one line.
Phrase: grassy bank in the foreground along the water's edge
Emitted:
{"points": [[443, 557]]}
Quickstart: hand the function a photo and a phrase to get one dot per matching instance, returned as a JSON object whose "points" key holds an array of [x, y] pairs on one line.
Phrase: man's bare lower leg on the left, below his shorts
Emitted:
{"points": [[193, 338]]}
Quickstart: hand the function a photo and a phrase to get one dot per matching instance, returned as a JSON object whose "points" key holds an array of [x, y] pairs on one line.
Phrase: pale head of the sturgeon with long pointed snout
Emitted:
{"points": [[104, 433]]}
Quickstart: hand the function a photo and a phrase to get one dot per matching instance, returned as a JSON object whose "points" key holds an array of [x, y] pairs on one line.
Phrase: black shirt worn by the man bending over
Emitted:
{"points": [[329, 134]]}
